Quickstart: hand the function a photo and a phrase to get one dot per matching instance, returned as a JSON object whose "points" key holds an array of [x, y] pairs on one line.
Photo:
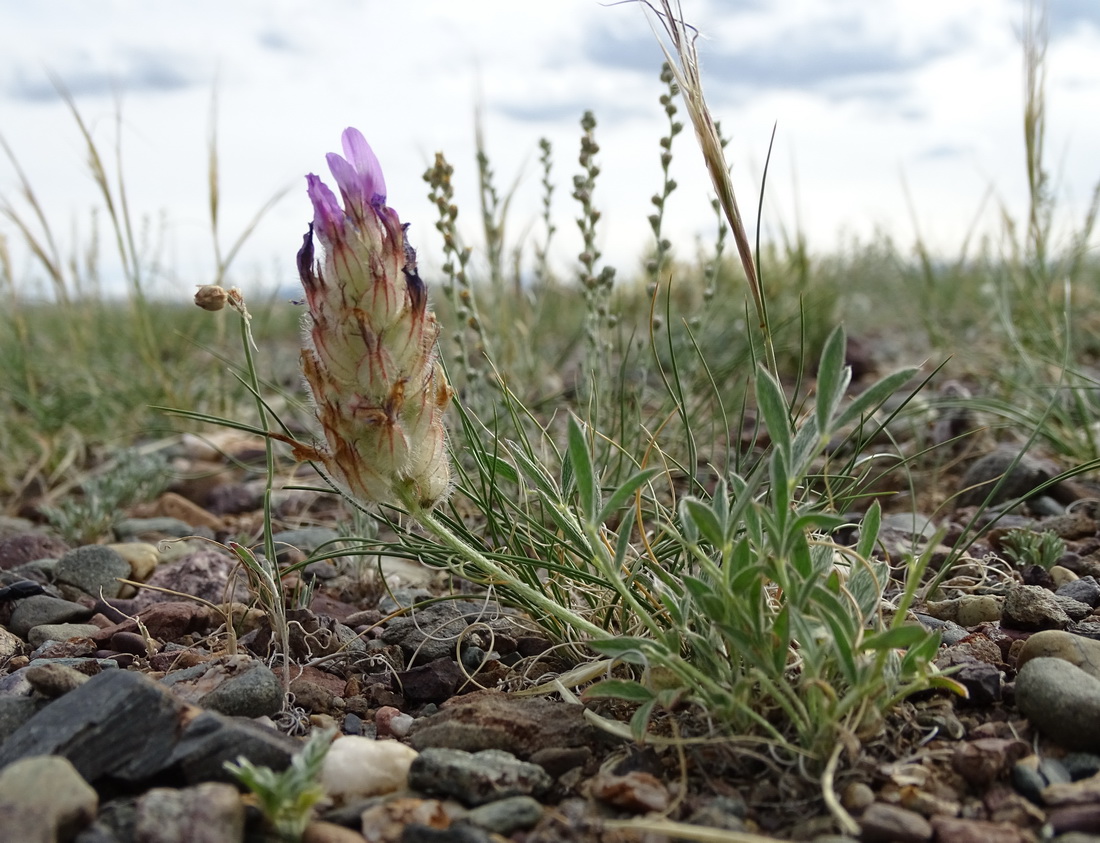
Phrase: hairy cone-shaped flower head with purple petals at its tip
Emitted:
{"points": [[370, 349]]}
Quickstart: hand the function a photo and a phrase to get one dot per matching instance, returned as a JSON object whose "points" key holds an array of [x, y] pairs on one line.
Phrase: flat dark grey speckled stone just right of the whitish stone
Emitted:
{"points": [[477, 779]]}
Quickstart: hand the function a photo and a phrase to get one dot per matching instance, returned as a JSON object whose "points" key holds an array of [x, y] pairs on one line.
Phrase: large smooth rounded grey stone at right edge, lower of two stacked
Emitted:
{"points": [[1062, 702]]}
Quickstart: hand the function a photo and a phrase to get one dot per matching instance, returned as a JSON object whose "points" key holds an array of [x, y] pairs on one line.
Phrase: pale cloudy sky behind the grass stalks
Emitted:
{"points": [[892, 117]]}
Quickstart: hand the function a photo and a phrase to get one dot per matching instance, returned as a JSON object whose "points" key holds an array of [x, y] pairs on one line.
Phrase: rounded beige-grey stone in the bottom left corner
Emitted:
{"points": [[45, 800]]}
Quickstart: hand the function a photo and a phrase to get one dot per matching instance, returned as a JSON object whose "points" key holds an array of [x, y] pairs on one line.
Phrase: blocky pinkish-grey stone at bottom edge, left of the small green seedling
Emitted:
{"points": [[211, 813]]}
